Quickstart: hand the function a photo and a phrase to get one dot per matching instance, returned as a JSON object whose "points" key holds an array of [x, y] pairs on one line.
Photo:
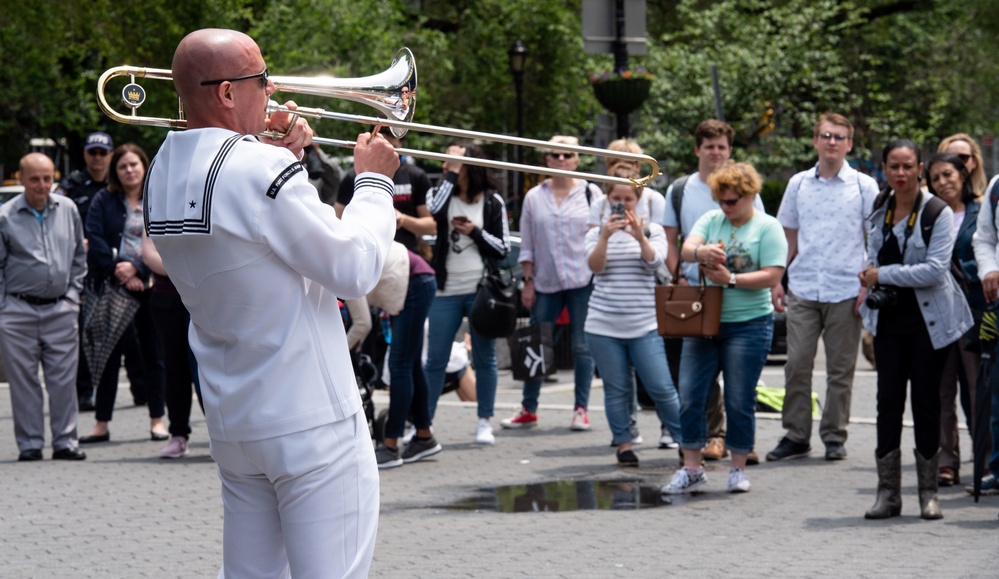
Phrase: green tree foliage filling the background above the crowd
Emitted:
{"points": [[918, 68]]}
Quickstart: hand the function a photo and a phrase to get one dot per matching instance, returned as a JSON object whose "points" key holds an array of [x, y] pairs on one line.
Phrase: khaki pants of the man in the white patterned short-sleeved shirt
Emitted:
{"points": [[840, 330]]}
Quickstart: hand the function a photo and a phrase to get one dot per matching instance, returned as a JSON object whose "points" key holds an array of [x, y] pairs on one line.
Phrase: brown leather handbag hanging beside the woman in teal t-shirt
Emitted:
{"points": [[688, 311]]}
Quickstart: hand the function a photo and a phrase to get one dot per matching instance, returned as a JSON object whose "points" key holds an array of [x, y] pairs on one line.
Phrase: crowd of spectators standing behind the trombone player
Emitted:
{"points": [[913, 260]]}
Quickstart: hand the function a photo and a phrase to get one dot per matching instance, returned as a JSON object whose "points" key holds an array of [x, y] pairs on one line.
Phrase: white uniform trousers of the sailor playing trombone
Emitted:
{"points": [[303, 505]]}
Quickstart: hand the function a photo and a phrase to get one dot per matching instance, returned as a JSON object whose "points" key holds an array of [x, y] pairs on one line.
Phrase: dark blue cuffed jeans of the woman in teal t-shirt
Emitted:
{"points": [[740, 351]]}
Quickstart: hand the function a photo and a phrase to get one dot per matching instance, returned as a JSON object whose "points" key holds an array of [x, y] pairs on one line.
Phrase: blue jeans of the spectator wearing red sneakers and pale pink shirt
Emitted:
{"points": [[547, 309]]}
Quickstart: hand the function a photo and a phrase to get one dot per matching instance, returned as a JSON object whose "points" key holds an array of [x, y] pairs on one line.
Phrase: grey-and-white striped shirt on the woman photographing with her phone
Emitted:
{"points": [[623, 302]]}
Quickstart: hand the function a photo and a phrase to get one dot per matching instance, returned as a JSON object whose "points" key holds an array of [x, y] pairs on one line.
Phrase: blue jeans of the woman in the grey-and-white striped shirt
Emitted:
{"points": [[615, 358]]}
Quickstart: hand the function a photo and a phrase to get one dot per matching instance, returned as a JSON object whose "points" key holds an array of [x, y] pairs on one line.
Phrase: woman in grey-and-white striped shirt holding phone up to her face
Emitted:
{"points": [[624, 254]]}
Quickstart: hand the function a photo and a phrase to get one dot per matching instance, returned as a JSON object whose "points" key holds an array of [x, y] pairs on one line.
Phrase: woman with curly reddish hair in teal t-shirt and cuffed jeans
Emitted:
{"points": [[745, 251]]}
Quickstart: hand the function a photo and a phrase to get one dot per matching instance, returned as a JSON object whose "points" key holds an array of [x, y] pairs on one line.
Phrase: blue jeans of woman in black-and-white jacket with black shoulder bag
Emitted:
{"points": [[446, 314]]}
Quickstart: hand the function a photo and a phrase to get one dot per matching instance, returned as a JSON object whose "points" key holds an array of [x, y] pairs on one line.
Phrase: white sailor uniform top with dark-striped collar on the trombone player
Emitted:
{"points": [[259, 262]]}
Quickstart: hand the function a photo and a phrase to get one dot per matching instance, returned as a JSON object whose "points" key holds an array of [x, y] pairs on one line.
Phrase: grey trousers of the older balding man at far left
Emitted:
{"points": [[47, 334]]}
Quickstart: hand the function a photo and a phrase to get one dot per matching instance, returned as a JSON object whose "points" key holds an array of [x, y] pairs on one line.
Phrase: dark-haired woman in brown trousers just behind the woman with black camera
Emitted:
{"points": [[950, 180]]}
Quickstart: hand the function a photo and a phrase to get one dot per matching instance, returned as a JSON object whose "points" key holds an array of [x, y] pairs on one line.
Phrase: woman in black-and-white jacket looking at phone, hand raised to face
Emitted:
{"points": [[472, 234]]}
